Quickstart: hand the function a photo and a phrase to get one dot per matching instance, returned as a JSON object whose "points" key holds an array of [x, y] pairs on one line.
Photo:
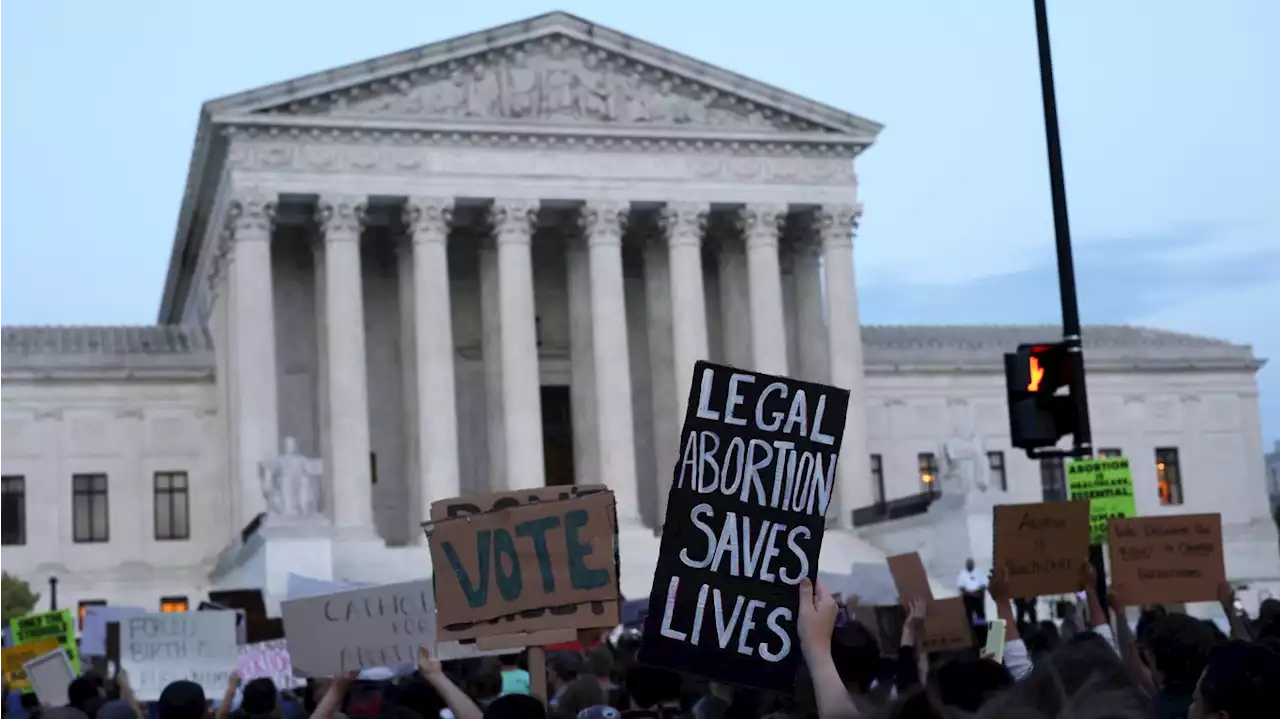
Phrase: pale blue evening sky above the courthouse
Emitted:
{"points": [[1168, 126]]}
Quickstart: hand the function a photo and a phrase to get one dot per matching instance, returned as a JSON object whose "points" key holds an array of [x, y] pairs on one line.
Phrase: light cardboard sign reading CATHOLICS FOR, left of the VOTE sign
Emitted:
{"points": [[364, 629]]}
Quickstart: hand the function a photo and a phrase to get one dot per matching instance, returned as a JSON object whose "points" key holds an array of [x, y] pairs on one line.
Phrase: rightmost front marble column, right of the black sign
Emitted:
{"points": [[836, 226]]}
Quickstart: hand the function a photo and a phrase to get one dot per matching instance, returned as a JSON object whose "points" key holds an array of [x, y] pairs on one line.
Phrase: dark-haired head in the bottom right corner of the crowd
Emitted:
{"points": [[1241, 681]]}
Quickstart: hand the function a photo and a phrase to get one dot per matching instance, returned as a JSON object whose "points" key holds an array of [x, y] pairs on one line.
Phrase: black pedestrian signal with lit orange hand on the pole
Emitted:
{"points": [[1039, 415]]}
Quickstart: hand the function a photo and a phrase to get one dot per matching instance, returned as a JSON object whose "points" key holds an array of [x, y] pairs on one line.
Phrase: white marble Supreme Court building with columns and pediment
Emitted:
{"points": [[491, 264]]}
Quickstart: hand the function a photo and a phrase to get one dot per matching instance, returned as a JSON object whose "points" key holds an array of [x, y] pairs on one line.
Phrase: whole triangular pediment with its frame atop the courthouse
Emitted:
{"points": [[555, 70]]}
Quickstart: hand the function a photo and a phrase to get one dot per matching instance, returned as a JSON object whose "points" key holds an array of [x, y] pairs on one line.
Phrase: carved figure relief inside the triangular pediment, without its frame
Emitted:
{"points": [[552, 80]]}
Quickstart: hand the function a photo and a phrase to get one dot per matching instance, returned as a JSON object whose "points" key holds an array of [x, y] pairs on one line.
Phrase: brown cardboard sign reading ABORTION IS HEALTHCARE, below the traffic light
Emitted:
{"points": [[1043, 546]]}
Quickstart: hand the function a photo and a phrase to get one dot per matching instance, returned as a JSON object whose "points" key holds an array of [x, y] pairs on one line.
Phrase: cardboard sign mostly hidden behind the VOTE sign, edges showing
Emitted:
{"points": [[542, 625]]}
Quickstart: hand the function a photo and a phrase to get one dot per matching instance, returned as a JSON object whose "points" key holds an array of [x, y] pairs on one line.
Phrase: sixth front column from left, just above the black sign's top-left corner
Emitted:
{"points": [[684, 225]]}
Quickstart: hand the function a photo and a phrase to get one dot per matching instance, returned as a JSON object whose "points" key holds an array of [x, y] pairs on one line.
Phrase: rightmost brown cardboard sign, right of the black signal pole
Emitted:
{"points": [[1167, 560]]}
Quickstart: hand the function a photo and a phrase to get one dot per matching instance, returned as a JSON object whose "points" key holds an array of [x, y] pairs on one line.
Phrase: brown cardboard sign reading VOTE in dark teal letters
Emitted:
{"points": [[525, 558]]}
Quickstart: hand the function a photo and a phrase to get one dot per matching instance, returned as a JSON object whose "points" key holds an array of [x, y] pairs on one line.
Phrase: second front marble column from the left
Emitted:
{"points": [[341, 219]]}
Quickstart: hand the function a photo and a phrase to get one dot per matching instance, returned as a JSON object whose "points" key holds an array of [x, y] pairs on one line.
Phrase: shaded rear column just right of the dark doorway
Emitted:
{"points": [[582, 359]]}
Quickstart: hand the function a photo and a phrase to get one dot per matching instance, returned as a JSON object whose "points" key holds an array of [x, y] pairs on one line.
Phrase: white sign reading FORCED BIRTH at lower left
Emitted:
{"points": [[159, 649]]}
